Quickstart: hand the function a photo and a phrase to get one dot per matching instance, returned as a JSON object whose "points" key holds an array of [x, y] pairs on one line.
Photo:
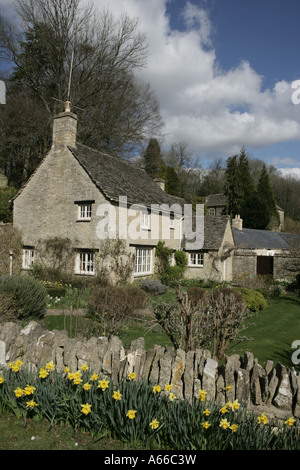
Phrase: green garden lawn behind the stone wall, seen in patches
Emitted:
{"points": [[272, 331]]}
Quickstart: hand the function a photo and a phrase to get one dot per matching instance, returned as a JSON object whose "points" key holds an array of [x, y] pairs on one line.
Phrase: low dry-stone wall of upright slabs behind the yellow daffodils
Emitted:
{"points": [[273, 387]]}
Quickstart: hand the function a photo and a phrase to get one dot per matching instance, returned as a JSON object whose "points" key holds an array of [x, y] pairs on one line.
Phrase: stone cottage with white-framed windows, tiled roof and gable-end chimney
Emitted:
{"points": [[88, 197]]}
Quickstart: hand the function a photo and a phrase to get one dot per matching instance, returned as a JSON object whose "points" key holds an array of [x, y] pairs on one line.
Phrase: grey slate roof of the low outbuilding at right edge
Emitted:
{"points": [[254, 239]]}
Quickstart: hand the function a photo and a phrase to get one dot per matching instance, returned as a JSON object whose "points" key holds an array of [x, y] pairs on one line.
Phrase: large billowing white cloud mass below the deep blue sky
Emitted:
{"points": [[209, 108]]}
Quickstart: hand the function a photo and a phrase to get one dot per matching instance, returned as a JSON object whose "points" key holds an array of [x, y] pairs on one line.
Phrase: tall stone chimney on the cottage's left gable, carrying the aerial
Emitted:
{"points": [[64, 128]]}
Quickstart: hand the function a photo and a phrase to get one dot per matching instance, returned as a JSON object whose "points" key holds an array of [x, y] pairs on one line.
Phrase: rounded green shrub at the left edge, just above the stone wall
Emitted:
{"points": [[30, 296]]}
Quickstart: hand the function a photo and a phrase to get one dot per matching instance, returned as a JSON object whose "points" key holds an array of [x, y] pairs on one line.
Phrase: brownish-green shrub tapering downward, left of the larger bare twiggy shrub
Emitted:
{"points": [[112, 306]]}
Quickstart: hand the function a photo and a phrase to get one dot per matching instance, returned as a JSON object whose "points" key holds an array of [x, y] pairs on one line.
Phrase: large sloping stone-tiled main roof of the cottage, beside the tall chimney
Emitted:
{"points": [[116, 177]]}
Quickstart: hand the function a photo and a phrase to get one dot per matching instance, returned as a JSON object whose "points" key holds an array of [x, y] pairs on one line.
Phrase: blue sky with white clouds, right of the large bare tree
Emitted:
{"points": [[222, 71]]}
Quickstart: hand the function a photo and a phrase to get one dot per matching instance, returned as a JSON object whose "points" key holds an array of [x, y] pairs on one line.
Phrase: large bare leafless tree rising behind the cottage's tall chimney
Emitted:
{"points": [[66, 49]]}
